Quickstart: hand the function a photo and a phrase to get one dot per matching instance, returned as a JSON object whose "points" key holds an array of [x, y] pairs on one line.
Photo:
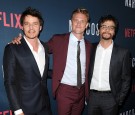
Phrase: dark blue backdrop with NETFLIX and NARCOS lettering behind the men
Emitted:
{"points": [[56, 14]]}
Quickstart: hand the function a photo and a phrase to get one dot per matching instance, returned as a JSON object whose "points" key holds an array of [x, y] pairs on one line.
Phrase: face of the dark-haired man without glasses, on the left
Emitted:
{"points": [[31, 27]]}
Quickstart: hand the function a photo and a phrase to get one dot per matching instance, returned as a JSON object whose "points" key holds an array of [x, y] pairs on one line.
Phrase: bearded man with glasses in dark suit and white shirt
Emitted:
{"points": [[109, 75]]}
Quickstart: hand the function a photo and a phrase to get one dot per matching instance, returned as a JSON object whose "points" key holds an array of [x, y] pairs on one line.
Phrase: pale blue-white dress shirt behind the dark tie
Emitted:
{"points": [[70, 73]]}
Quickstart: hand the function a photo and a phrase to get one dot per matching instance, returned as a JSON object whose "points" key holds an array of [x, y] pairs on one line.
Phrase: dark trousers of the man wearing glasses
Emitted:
{"points": [[102, 103]]}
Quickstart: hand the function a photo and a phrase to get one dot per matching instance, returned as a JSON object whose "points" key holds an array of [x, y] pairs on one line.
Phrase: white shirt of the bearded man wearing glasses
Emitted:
{"points": [[100, 78]]}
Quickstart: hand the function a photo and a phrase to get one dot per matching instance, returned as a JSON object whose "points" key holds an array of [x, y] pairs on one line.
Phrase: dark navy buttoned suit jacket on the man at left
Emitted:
{"points": [[26, 88]]}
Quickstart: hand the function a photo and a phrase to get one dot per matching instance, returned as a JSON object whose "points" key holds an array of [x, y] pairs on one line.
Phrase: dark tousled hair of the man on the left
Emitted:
{"points": [[32, 12]]}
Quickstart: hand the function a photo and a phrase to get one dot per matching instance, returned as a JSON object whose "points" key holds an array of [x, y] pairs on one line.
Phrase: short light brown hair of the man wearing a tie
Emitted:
{"points": [[83, 11]]}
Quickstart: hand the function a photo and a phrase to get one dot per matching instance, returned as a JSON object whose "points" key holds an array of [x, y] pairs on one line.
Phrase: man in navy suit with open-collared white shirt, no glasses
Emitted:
{"points": [[25, 69]]}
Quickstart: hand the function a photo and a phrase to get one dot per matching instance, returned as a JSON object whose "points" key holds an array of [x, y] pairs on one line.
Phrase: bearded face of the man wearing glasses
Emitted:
{"points": [[107, 30]]}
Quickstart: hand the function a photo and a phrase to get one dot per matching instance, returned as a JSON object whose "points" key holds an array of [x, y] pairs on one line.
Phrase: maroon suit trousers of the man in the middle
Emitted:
{"points": [[70, 100]]}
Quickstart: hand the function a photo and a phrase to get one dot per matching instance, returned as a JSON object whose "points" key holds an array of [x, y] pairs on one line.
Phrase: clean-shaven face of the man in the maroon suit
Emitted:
{"points": [[79, 23]]}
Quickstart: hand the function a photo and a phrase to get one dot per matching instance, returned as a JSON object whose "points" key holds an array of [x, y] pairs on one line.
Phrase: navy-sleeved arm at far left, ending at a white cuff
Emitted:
{"points": [[9, 65]]}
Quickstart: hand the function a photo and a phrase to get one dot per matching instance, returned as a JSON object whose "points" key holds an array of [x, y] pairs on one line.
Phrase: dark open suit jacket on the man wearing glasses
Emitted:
{"points": [[119, 73]]}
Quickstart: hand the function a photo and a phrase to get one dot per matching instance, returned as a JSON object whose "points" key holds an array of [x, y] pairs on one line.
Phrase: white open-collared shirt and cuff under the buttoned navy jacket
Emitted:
{"points": [[40, 60]]}
